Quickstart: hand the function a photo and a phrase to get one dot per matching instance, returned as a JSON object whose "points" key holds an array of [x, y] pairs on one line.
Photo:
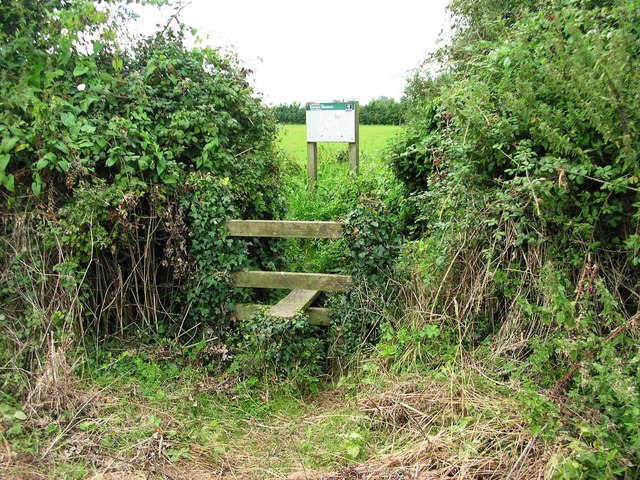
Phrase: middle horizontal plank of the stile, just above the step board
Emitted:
{"points": [[293, 281]]}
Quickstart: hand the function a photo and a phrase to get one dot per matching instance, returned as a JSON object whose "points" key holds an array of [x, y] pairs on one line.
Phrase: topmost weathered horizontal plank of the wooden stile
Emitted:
{"points": [[283, 228]]}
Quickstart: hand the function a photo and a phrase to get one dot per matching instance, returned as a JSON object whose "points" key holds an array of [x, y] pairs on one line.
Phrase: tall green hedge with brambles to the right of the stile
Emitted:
{"points": [[520, 166]]}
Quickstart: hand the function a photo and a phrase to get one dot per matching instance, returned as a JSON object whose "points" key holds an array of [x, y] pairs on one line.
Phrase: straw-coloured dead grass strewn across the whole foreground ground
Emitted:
{"points": [[418, 428]]}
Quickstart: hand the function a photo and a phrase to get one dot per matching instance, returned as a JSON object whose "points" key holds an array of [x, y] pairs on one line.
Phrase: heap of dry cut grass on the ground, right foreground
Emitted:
{"points": [[452, 430]]}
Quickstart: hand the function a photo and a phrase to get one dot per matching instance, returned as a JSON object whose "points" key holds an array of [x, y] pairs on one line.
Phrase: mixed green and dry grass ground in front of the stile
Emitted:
{"points": [[151, 413]]}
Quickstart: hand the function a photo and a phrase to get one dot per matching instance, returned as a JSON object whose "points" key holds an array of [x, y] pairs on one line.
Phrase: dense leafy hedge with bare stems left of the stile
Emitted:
{"points": [[108, 145]]}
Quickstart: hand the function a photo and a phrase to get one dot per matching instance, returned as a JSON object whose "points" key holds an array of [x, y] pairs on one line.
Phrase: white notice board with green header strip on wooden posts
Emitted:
{"points": [[331, 122]]}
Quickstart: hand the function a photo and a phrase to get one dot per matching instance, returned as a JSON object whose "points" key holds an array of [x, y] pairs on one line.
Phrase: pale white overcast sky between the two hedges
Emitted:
{"points": [[317, 51]]}
